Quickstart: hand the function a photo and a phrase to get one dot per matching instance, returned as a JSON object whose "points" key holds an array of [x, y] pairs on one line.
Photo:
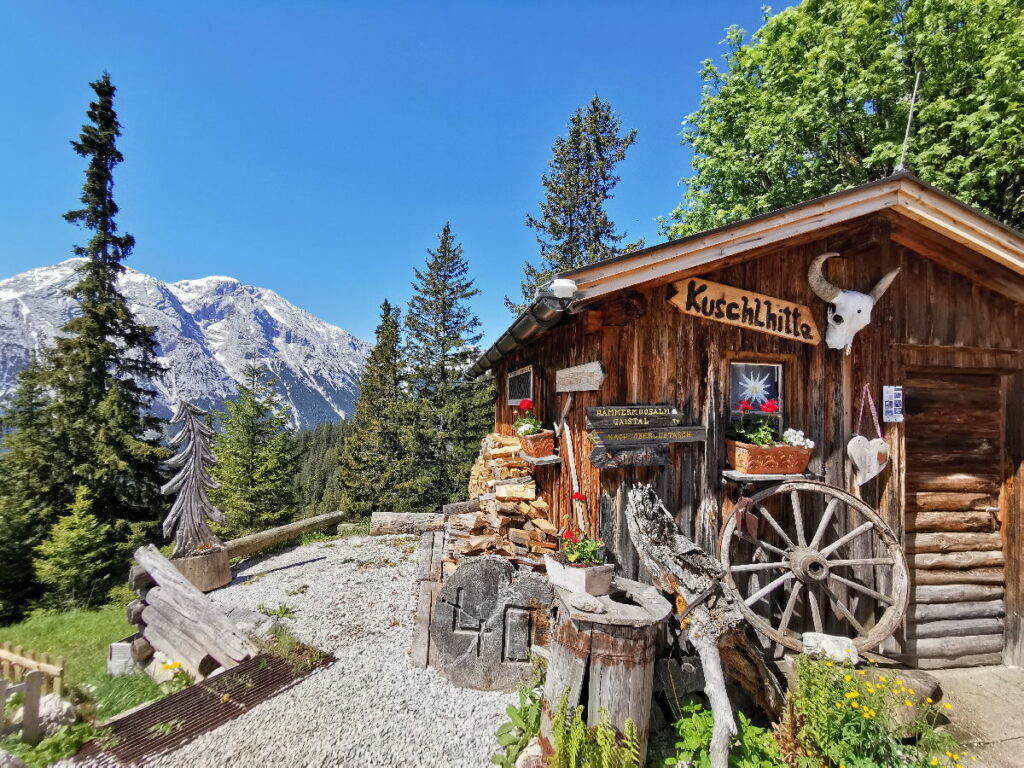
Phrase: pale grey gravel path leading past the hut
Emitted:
{"points": [[370, 708]]}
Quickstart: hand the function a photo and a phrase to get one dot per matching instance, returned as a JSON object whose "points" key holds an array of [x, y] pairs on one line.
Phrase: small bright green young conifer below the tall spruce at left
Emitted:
{"points": [[74, 561]]}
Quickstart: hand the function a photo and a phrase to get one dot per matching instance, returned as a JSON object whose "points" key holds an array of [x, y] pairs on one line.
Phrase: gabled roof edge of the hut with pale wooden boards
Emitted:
{"points": [[903, 197]]}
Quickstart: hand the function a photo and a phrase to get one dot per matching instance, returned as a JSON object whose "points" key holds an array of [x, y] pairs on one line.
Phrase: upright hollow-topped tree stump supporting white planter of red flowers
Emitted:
{"points": [[618, 648]]}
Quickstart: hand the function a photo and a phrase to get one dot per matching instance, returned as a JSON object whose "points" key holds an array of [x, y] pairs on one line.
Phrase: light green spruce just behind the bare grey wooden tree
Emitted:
{"points": [[257, 458]]}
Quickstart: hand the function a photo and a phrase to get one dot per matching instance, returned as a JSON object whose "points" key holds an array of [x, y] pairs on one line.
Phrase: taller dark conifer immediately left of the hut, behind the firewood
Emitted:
{"points": [[450, 416]]}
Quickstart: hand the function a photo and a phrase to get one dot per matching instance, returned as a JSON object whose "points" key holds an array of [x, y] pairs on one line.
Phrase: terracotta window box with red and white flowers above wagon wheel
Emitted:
{"points": [[755, 447]]}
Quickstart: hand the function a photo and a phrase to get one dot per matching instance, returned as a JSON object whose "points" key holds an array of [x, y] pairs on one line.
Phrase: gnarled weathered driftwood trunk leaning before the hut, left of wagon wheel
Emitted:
{"points": [[709, 612]]}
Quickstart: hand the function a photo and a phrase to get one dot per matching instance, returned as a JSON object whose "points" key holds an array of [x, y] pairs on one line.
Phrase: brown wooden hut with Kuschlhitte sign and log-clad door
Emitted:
{"points": [[682, 331]]}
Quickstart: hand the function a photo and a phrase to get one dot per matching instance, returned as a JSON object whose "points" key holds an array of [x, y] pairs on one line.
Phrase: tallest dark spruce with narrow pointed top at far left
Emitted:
{"points": [[91, 393]]}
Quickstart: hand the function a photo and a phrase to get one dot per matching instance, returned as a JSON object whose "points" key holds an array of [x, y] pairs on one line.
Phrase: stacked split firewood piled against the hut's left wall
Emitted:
{"points": [[505, 516]]}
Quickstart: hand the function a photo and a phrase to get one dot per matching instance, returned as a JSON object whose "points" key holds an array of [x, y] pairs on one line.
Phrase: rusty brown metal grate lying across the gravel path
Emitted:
{"points": [[168, 724]]}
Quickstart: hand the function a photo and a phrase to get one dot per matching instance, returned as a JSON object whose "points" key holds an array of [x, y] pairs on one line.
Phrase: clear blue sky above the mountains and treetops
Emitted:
{"points": [[318, 148]]}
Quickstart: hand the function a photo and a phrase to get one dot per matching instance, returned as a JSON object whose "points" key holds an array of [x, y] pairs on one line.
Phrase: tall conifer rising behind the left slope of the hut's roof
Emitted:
{"points": [[574, 229]]}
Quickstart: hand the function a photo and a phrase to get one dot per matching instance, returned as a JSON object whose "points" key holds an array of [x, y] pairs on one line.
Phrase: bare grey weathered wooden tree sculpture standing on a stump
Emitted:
{"points": [[187, 521]]}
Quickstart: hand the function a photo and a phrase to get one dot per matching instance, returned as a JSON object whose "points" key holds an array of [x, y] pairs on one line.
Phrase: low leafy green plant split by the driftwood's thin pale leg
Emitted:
{"points": [[753, 747]]}
